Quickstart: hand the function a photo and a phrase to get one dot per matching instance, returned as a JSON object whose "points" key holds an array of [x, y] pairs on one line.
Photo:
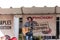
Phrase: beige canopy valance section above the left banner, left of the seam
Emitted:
{"points": [[10, 11]]}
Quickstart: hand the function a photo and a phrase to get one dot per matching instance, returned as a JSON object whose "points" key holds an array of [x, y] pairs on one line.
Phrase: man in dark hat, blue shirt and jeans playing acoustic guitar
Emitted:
{"points": [[30, 23]]}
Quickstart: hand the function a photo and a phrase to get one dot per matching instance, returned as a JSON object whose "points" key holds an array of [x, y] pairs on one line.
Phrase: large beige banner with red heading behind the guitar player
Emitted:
{"points": [[43, 25]]}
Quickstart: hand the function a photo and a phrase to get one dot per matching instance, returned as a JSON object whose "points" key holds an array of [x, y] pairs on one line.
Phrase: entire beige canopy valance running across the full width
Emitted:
{"points": [[30, 10]]}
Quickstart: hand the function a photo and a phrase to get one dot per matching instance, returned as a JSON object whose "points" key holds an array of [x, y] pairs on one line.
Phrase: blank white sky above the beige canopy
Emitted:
{"points": [[28, 3]]}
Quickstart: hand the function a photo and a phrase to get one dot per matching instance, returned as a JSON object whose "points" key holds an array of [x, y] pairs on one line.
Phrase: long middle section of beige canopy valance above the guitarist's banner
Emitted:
{"points": [[39, 10]]}
